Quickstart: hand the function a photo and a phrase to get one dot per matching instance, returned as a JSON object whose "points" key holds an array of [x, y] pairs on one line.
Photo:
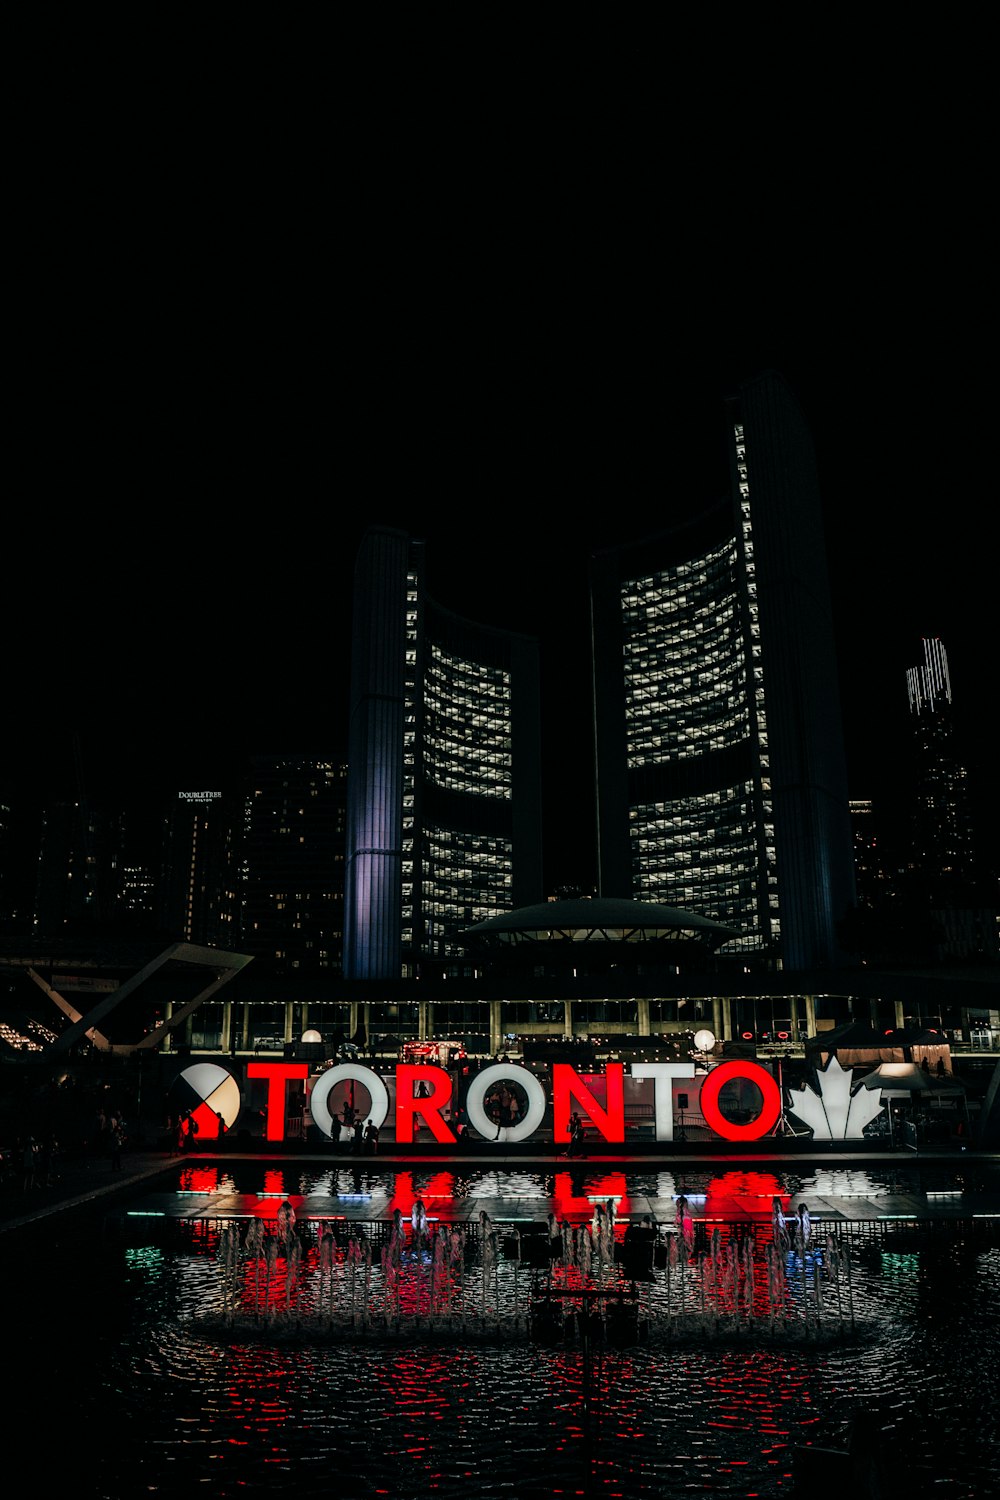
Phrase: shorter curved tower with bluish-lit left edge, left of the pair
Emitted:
{"points": [[445, 770]]}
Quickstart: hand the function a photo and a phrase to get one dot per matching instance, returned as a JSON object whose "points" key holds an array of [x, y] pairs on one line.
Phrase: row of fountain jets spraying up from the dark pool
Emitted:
{"points": [[488, 1282]]}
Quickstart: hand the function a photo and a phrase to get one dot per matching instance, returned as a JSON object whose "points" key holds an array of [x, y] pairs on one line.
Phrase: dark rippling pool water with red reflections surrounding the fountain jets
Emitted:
{"points": [[154, 1405]]}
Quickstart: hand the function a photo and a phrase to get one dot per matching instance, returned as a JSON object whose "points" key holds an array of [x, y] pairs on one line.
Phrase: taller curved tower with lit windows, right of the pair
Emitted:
{"points": [[720, 766]]}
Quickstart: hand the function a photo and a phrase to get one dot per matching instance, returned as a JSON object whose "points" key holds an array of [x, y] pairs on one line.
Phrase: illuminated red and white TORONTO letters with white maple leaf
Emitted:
{"points": [[834, 1115]]}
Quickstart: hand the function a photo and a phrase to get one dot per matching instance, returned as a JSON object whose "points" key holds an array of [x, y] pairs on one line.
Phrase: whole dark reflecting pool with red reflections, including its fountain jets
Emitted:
{"points": [[163, 1360]]}
